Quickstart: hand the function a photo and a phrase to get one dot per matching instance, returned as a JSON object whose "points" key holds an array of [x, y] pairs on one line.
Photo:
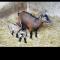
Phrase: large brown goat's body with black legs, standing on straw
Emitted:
{"points": [[30, 22]]}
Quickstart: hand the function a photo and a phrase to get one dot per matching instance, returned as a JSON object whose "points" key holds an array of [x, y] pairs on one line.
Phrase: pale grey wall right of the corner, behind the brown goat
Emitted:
{"points": [[53, 8]]}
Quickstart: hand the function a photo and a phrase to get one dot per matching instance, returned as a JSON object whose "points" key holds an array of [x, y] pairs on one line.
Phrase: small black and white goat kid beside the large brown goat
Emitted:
{"points": [[22, 33]]}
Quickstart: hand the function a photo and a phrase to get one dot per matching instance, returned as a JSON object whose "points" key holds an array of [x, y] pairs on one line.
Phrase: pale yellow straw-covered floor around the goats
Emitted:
{"points": [[47, 36]]}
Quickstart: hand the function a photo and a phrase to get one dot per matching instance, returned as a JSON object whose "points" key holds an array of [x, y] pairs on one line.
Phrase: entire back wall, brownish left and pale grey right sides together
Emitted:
{"points": [[53, 8]]}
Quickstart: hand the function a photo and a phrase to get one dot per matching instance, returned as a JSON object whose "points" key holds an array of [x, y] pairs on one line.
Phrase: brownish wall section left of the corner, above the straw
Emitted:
{"points": [[12, 8]]}
